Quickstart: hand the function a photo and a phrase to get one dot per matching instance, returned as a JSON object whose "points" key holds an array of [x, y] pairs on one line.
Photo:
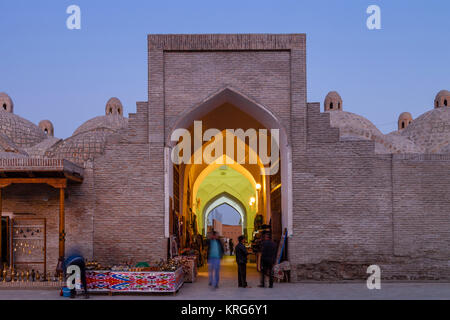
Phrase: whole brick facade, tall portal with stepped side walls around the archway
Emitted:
{"points": [[351, 207]]}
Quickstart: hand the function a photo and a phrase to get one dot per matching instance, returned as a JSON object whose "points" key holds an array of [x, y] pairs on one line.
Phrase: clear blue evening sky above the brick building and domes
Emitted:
{"points": [[67, 76]]}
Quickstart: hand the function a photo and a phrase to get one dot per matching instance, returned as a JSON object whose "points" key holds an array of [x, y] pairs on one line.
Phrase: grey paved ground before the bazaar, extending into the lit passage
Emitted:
{"points": [[228, 290]]}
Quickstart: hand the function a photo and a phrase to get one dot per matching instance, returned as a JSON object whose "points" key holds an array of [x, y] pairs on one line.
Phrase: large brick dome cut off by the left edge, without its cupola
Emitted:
{"points": [[21, 131]]}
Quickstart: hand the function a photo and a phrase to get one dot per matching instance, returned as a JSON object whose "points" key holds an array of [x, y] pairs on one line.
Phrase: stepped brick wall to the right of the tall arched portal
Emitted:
{"points": [[355, 208]]}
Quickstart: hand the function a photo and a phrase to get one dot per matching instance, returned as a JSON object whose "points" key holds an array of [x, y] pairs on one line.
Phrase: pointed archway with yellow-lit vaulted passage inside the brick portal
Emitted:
{"points": [[228, 149]]}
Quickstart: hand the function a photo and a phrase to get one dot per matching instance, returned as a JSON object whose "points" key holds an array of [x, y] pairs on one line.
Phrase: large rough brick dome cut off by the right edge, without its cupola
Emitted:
{"points": [[431, 130]]}
